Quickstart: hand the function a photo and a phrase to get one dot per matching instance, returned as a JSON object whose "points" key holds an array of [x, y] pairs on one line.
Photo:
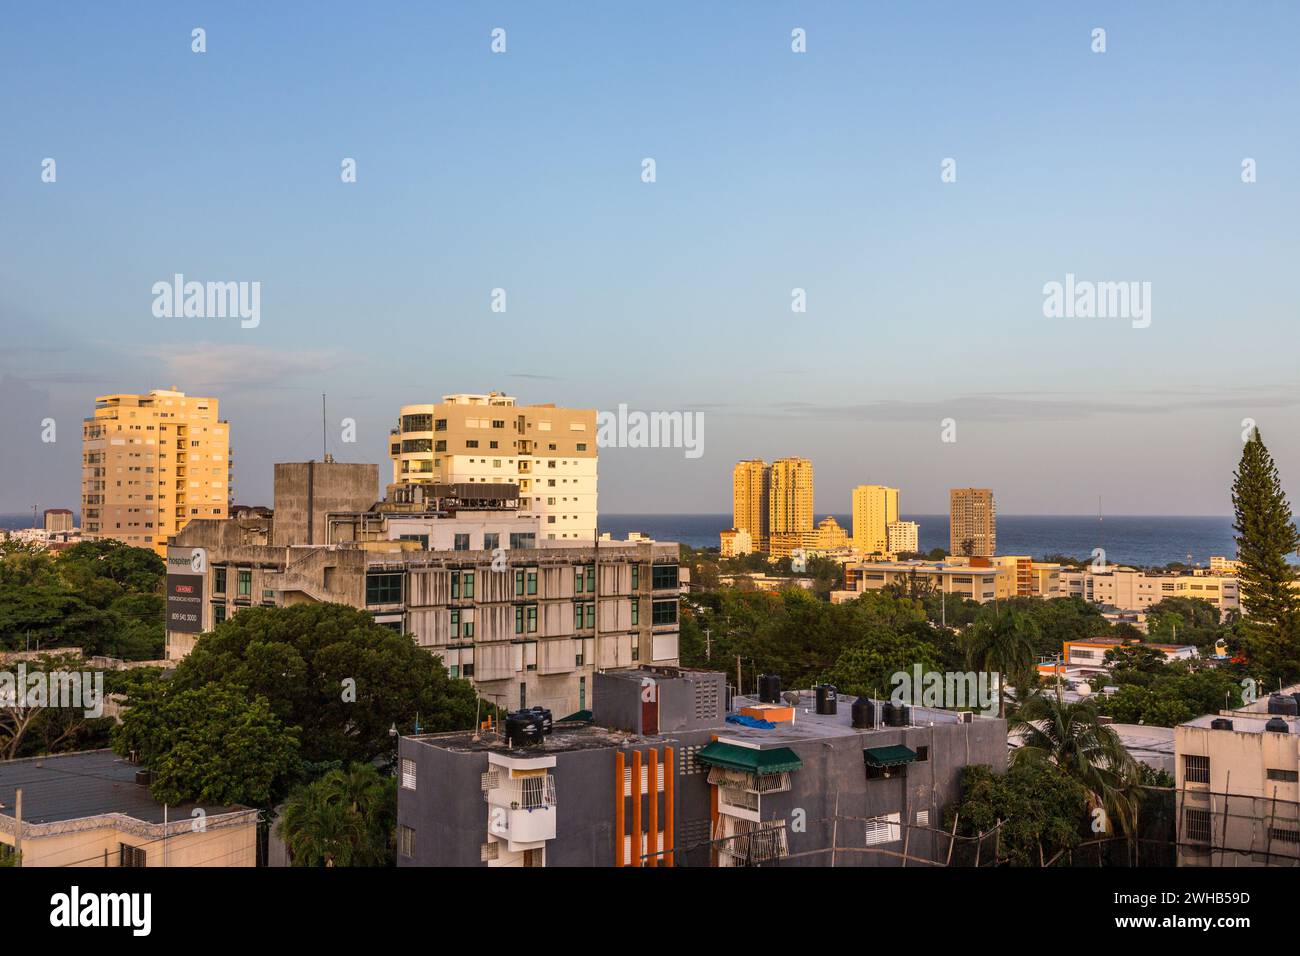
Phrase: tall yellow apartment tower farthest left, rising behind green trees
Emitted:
{"points": [[151, 464]]}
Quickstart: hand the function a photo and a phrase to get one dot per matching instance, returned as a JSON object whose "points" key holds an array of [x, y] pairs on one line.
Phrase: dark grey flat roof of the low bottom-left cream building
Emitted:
{"points": [[90, 784]]}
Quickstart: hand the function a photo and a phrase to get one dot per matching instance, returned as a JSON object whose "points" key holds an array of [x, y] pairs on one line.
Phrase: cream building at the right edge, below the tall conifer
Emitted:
{"points": [[1237, 785]]}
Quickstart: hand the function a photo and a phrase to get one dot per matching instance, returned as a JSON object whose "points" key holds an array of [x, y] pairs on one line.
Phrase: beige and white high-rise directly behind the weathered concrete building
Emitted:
{"points": [[551, 453]]}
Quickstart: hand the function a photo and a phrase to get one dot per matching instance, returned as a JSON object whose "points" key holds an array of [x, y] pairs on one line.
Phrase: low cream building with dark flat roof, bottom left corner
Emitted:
{"points": [[94, 810]]}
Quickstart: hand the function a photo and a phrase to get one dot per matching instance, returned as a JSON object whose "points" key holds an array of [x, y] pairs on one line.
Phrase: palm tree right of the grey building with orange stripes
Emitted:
{"points": [[1071, 737]]}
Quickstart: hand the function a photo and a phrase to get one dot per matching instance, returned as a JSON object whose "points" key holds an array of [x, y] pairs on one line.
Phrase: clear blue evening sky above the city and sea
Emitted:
{"points": [[775, 171]]}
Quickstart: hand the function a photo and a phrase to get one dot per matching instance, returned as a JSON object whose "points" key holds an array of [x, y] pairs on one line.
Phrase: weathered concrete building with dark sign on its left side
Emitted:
{"points": [[462, 569]]}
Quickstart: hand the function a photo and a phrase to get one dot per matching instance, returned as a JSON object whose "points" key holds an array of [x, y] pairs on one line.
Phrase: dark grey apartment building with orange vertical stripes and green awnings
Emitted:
{"points": [[660, 777]]}
